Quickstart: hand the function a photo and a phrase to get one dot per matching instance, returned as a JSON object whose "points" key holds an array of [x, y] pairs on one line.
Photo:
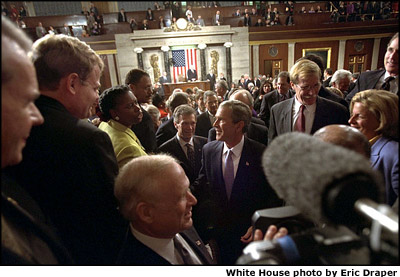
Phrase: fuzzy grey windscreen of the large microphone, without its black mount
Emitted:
{"points": [[300, 167]]}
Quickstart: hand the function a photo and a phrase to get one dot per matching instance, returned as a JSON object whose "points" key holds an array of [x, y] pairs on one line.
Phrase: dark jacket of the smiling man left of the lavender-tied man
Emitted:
{"points": [[174, 148]]}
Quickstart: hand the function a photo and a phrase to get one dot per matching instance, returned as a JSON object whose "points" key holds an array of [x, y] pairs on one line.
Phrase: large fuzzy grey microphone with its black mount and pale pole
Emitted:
{"points": [[327, 183]]}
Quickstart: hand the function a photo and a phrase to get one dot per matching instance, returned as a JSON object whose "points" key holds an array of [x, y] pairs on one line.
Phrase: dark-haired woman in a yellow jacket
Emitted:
{"points": [[120, 108]]}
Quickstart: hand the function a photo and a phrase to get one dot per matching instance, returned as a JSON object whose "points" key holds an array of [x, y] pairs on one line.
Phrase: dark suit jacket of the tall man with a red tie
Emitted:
{"points": [[327, 112]]}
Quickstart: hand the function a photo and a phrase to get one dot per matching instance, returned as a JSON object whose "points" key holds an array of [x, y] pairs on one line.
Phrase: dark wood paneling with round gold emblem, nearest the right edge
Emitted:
{"points": [[366, 51]]}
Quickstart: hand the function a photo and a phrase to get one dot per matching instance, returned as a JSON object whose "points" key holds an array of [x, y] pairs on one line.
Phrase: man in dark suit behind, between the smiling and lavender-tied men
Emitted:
{"points": [[206, 120]]}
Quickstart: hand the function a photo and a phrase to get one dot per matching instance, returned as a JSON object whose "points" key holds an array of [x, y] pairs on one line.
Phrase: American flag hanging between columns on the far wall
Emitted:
{"points": [[183, 59]]}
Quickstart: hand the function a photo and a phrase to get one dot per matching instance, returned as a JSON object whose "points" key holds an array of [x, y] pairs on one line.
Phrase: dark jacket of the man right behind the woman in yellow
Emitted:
{"points": [[146, 133]]}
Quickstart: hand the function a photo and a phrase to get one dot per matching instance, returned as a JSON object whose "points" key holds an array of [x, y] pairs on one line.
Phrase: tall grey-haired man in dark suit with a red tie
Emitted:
{"points": [[306, 111]]}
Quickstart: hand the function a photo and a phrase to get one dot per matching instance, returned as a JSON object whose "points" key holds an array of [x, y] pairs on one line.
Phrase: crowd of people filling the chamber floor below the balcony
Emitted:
{"points": [[95, 179]]}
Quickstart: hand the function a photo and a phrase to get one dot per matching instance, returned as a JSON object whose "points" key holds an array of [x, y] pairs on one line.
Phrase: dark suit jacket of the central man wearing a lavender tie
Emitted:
{"points": [[229, 219]]}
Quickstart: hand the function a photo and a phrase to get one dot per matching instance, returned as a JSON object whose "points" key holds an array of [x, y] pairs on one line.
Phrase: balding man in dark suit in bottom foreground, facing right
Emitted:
{"points": [[153, 193]]}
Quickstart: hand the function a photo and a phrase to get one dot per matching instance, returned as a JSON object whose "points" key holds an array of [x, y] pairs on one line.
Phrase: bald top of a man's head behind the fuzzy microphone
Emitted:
{"points": [[345, 136]]}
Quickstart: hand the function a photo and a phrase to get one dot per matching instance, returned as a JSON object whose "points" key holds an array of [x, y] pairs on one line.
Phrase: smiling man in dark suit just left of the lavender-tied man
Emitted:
{"points": [[185, 146]]}
